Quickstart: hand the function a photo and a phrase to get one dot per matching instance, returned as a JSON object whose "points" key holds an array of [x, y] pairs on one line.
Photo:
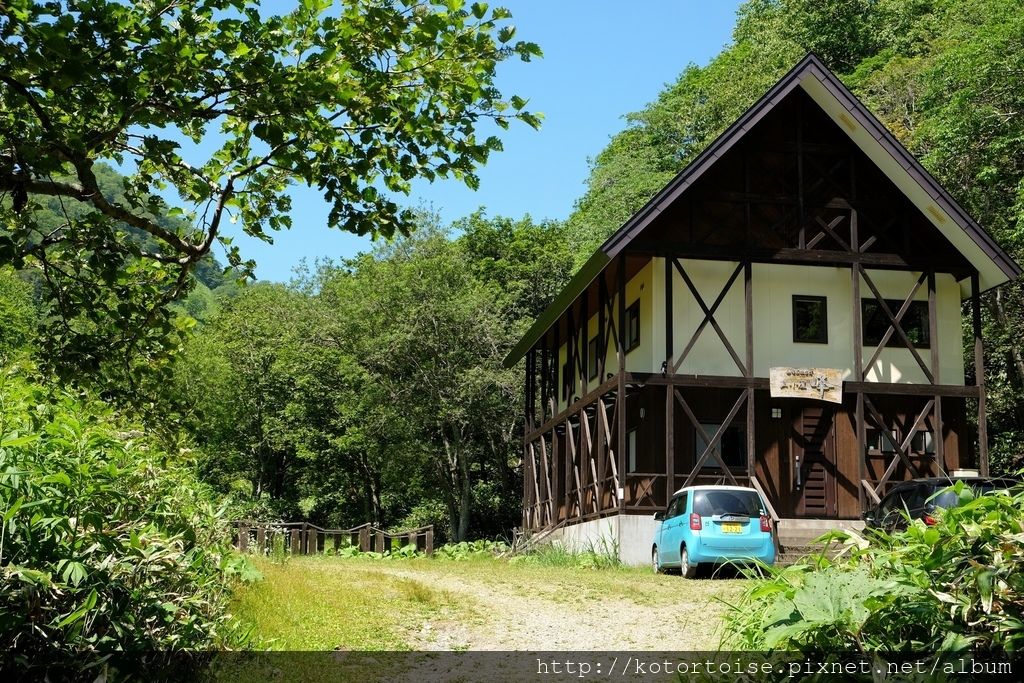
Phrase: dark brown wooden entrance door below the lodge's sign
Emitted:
{"points": [[815, 460]]}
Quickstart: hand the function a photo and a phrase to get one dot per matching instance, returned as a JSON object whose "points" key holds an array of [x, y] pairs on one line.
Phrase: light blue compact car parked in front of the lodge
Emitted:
{"points": [[712, 525]]}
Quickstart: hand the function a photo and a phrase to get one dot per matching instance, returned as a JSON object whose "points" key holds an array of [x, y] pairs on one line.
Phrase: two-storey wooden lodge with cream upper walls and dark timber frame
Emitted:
{"points": [[805, 237]]}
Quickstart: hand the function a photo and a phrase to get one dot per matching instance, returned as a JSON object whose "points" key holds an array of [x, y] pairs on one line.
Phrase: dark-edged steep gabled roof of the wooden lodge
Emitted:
{"points": [[994, 265]]}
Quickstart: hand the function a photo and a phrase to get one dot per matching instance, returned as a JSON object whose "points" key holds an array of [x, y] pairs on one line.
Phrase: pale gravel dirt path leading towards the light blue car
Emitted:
{"points": [[629, 612]]}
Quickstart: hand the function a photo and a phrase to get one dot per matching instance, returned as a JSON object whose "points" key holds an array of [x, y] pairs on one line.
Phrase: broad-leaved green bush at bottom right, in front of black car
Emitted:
{"points": [[954, 587]]}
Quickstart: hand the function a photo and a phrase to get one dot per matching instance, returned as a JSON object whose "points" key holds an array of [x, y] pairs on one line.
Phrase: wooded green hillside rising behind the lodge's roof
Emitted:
{"points": [[946, 76]]}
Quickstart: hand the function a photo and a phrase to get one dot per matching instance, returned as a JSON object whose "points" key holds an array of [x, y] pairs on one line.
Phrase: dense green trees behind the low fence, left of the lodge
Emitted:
{"points": [[373, 391]]}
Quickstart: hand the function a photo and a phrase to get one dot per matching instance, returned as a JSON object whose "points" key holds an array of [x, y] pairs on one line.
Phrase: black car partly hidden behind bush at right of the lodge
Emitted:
{"points": [[919, 499]]}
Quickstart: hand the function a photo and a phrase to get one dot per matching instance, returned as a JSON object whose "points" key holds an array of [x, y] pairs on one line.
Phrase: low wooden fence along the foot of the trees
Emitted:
{"points": [[307, 539]]}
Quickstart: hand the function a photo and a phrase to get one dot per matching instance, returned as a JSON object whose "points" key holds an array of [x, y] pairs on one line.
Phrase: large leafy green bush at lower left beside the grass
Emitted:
{"points": [[108, 544]]}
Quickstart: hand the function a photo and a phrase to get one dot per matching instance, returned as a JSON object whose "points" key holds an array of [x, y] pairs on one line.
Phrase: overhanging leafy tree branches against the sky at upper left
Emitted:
{"points": [[357, 102]]}
